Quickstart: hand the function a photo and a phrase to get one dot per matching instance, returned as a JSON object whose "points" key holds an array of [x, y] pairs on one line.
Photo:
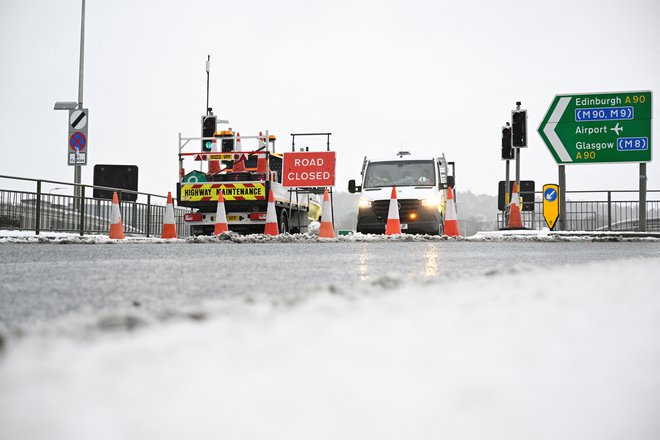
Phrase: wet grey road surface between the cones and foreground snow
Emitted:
{"points": [[40, 282]]}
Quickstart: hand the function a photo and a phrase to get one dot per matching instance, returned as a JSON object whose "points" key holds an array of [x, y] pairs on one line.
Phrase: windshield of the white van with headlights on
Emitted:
{"points": [[400, 173]]}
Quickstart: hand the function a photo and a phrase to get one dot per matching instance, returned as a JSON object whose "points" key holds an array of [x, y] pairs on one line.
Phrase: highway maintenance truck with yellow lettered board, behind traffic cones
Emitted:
{"points": [[245, 178]]}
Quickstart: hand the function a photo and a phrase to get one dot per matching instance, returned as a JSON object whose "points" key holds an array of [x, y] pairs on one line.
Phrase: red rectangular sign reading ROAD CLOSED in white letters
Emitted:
{"points": [[309, 169]]}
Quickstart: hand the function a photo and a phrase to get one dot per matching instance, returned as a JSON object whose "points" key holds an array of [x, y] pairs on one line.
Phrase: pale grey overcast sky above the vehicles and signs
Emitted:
{"points": [[426, 76]]}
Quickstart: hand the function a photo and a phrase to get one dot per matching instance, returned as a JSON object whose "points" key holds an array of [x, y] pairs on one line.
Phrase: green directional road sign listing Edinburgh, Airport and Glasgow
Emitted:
{"points": [[599, 127]]}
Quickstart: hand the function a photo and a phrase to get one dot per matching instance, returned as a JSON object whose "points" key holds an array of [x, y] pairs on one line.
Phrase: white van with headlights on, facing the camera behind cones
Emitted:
{"points": [[421, 185]]}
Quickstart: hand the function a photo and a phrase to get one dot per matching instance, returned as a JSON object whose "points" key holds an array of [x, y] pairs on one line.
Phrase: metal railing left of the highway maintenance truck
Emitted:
{"points": [[45, 205]]}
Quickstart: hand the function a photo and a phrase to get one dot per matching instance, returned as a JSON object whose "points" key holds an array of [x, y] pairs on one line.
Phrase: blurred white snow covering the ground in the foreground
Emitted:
{"points": [[558, 353]]}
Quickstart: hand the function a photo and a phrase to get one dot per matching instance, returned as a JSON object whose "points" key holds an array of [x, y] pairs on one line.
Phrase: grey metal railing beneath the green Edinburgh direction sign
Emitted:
{"points": [[600, 210]]}
